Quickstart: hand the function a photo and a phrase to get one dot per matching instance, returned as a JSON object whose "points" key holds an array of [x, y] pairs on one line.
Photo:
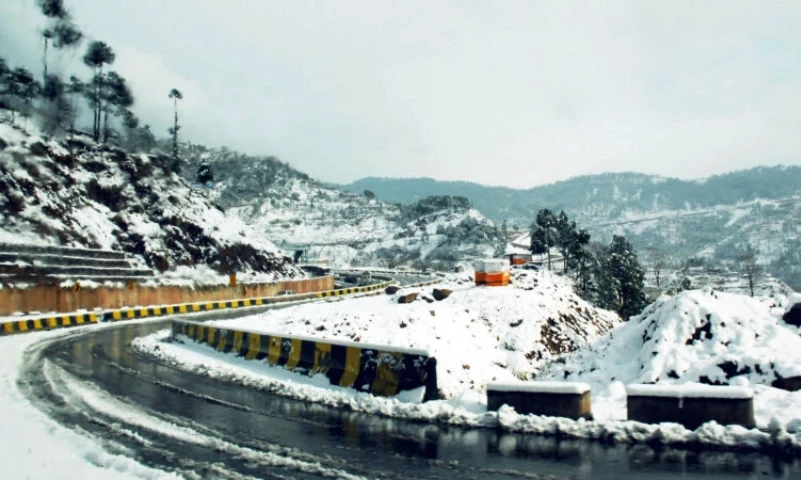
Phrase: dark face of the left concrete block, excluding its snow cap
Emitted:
{"points": [[570, 405]]}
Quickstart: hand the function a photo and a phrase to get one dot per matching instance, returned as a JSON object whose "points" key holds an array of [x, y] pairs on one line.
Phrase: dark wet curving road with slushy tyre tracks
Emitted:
{"points": [[203, 428]]}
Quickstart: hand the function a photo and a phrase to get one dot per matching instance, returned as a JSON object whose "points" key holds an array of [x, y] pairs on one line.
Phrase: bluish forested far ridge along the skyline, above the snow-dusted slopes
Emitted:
{"points": [[607, 194]]}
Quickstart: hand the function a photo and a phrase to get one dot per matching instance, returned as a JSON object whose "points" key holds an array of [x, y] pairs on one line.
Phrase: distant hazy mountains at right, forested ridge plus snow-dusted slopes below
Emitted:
{"points": [[717, 218]]}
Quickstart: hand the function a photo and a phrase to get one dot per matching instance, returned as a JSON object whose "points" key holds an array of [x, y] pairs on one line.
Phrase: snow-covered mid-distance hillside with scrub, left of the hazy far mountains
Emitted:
{"points": [[343, 228]]}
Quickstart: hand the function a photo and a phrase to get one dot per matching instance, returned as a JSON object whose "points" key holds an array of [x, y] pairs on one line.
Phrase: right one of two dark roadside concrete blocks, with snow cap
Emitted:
{"points": [[690, 405]]}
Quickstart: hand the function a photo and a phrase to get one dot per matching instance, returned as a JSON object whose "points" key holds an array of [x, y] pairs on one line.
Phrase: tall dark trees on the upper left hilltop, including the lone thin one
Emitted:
{"points": [[56, 101]]}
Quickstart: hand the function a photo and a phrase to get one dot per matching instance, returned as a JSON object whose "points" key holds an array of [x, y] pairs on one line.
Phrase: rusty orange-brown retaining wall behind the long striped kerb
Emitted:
{"points": [[44, 298]]}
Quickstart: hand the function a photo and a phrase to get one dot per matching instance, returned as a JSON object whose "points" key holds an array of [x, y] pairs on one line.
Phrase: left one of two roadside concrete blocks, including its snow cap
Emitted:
{"points": [[555, 399]]}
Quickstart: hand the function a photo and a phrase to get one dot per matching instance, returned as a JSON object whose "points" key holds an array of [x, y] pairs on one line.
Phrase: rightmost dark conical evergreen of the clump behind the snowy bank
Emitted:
{"points": [[621, 279]]}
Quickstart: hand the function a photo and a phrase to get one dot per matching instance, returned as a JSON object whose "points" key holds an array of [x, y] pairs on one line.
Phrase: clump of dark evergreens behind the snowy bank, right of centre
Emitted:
{"points": [[609, 275]]}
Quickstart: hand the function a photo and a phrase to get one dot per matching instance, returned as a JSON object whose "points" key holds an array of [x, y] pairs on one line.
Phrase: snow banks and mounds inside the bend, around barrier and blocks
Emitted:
{"points": [[482, 334]]}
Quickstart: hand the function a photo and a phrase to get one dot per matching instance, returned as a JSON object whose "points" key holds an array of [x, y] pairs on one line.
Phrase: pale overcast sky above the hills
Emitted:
{"points": [[516, 93]]}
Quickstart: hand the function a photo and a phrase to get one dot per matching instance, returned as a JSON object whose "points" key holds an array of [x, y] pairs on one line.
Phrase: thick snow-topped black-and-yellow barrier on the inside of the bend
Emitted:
{"points": [[380, 370]]}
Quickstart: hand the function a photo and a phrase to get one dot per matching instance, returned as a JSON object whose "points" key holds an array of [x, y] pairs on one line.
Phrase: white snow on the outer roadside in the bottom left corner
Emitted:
{"points": [[34, 446]]}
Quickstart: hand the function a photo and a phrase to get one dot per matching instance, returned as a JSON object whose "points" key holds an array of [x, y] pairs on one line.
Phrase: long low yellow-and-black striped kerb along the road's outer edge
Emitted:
{"points": [[51, 322]]}
